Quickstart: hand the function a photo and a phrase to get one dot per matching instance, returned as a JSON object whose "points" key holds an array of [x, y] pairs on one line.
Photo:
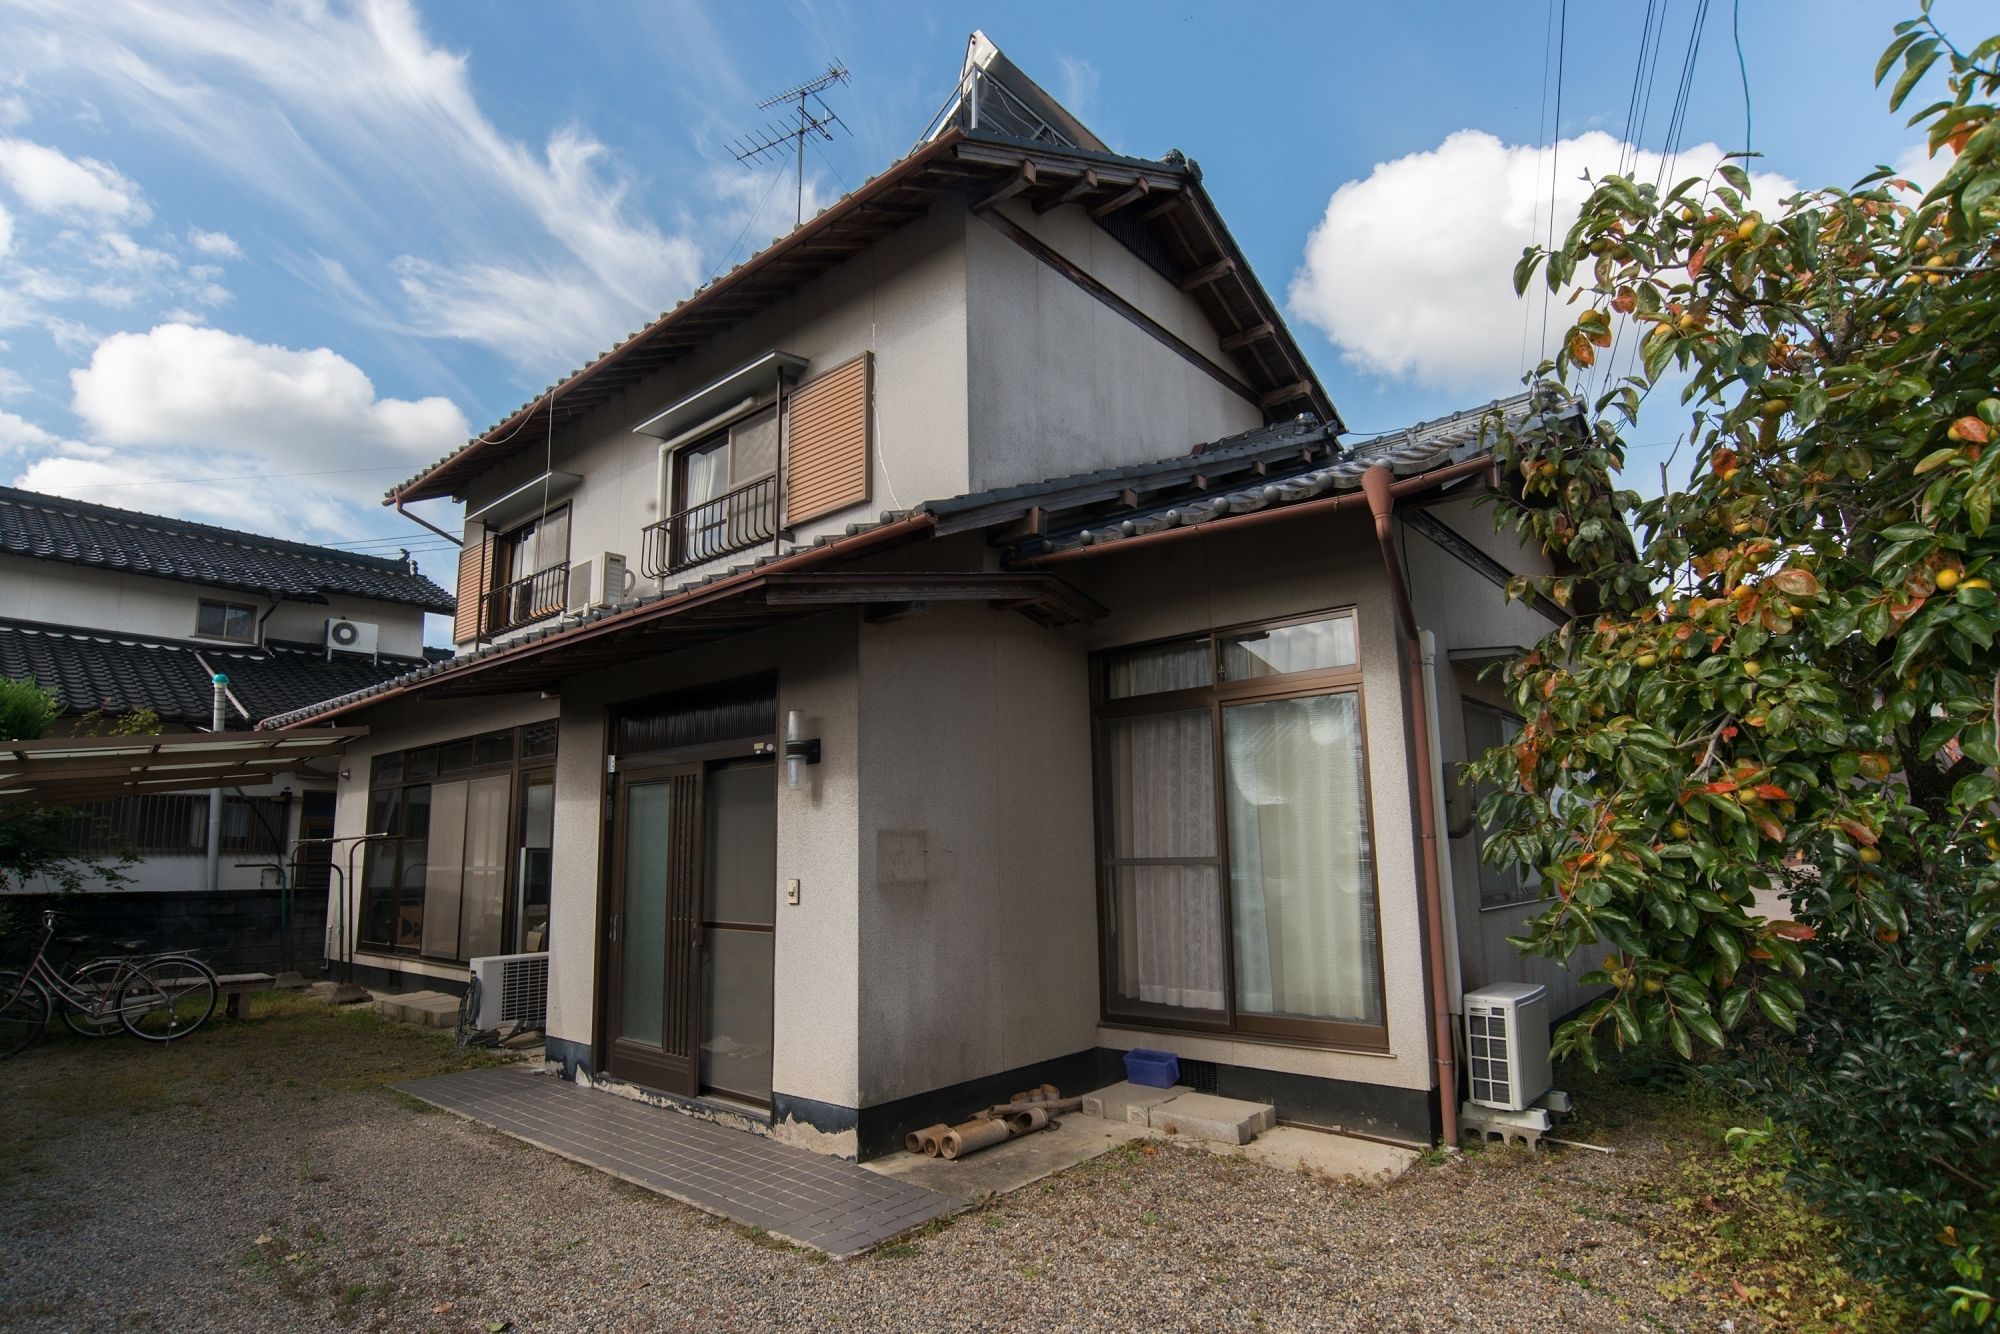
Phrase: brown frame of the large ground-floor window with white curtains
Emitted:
{"points": [[1215, 697]]}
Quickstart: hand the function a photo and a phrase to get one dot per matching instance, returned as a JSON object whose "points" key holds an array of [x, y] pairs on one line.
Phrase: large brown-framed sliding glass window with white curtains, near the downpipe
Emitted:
{"points": [[1239, 889]]}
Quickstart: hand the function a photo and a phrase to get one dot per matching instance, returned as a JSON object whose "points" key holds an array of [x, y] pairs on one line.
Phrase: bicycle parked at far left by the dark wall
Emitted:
{"points": [[159, 997]]}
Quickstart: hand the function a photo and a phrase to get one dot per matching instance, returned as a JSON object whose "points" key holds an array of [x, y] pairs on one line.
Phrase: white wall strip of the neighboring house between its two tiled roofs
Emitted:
{"points": [[65, 595]]}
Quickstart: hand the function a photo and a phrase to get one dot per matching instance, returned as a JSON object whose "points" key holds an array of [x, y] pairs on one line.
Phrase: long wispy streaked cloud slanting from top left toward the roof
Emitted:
{"points": [[353, 119]]}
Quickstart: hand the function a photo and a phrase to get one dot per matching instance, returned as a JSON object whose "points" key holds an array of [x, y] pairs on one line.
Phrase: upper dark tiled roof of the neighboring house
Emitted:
{"points": [[97, 535]]}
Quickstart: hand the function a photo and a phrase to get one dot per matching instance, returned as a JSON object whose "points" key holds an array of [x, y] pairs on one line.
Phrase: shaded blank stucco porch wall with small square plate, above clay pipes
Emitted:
{"points": [[977, 891]]}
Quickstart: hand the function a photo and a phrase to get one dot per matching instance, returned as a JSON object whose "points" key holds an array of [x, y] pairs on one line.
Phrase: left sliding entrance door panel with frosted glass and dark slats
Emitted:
{"points": [[655, 931]]}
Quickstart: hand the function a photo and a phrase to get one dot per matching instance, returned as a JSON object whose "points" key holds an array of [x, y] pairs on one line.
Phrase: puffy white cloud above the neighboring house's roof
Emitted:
{"points": [[205, 387]]}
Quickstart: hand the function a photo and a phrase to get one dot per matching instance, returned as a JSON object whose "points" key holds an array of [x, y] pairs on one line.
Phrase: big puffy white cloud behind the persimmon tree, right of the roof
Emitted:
{"points": [[1411, 271]]}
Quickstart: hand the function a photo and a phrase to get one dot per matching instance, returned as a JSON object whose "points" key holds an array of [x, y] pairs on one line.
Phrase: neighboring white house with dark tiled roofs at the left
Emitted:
{"points": [[117, 613]]}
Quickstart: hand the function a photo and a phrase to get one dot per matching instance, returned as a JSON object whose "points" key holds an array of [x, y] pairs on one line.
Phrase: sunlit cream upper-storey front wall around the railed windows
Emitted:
{"points": [[905, 301]]}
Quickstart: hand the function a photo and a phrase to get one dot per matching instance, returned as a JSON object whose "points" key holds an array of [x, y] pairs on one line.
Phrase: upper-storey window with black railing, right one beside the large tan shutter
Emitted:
{"points": [[723, 491]]}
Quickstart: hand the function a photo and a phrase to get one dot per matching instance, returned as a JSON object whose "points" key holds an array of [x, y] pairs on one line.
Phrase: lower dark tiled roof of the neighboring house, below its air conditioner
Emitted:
{"points": [[125, 673]]}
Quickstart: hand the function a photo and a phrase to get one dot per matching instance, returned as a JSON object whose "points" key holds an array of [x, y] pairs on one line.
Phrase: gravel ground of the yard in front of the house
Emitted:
{"points": [[263, 1177]]}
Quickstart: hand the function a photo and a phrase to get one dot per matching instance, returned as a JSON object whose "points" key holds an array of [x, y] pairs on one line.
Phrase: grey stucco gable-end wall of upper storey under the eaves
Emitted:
{"points": [[1059, 383]]}
